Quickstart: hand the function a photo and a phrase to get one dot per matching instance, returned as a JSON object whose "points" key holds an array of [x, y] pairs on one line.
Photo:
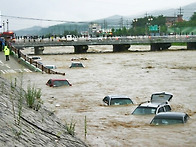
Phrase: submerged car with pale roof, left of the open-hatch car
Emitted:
{"points": [[117, 100]]}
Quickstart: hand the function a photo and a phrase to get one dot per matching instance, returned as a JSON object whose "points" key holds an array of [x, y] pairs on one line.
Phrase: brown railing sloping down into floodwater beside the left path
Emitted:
{"points": [[33, 62]]}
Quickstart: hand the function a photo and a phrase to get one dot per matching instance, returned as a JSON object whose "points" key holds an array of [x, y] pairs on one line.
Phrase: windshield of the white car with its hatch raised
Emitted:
{"points": [[144, 110]]}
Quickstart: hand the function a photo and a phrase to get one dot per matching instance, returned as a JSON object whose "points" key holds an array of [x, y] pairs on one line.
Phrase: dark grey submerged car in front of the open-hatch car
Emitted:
{"points": [[169, 118]]}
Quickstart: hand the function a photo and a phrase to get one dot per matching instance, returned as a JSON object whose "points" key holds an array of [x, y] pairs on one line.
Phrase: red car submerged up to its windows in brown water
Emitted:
{"points": [[58, 82]]}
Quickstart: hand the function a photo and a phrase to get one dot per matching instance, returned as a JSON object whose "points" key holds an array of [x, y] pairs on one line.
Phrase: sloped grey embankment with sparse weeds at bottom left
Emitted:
{"points": [[25, 127]]}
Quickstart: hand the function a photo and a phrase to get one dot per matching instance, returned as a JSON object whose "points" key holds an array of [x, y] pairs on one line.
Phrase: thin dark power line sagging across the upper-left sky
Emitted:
{"points": [[39, 19]]}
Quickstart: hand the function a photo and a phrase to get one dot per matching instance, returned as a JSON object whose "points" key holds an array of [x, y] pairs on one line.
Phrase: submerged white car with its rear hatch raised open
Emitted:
{"points": [[159, 103]]}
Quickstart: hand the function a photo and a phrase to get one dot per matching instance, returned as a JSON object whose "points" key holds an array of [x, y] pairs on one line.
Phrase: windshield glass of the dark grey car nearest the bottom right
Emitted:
{"points": [[160, 121]]}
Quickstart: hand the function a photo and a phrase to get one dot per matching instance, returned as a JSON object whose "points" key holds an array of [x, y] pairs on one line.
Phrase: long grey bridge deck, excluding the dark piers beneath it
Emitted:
{"points": [[108, 41]]}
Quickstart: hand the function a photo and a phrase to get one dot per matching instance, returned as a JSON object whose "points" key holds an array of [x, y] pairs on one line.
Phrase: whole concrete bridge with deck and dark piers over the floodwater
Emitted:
{"points": [[120, 44]]}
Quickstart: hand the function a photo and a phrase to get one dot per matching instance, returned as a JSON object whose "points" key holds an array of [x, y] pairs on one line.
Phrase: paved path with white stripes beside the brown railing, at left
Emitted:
{"points": [[11, 66]]}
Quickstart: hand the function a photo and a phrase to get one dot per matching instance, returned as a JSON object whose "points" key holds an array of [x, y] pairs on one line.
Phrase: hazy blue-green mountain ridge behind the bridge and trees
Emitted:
{"points": [[115, 21]]}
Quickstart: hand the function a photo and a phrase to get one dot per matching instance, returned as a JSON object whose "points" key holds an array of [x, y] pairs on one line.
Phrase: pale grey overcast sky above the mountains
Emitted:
{"points": [[78, 10]]}
